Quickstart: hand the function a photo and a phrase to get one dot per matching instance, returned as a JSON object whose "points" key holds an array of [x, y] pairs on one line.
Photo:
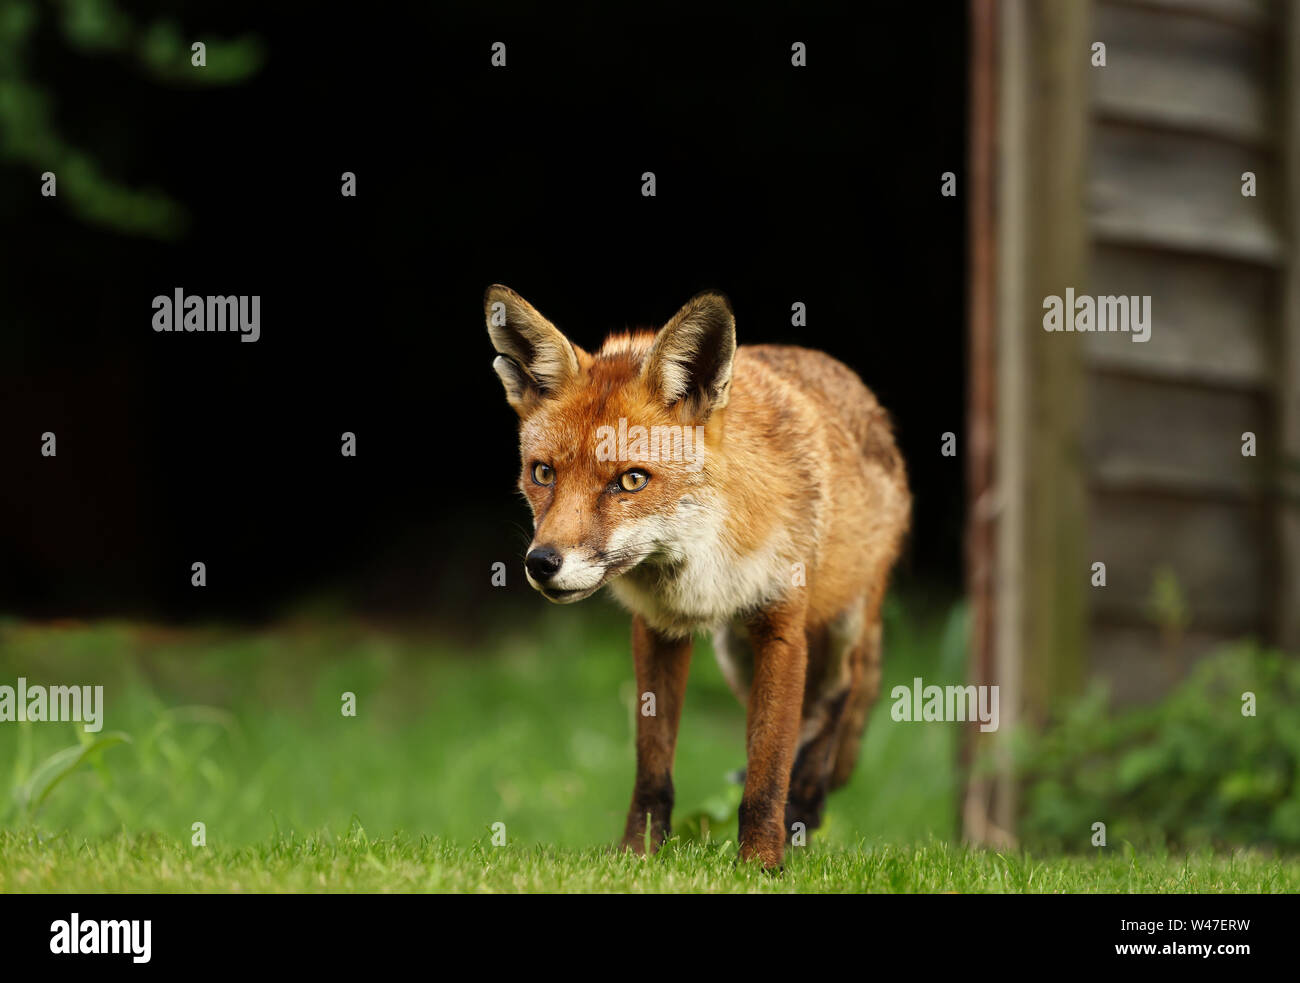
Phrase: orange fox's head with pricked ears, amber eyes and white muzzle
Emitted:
{"points": [[614, 445]]}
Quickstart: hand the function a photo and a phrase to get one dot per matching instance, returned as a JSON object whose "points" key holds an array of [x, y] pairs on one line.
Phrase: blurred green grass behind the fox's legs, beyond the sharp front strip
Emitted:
{"points": [[531, 727]]}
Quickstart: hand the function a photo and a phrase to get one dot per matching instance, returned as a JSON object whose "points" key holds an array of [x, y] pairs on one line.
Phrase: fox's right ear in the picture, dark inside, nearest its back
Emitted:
{"points": [[691, 361]]}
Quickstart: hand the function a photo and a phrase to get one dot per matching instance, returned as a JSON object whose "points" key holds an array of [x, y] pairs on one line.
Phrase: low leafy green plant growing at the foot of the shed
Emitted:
{"points": [[1216, 763]]}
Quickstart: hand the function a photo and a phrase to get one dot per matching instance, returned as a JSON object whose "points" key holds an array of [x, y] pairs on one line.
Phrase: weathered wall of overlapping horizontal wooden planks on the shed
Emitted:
{"points": [[1190, 99]]}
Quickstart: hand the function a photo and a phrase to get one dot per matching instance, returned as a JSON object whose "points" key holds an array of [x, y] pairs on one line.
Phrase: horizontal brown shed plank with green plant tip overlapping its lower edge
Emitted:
{"points": [[1219, 552]]}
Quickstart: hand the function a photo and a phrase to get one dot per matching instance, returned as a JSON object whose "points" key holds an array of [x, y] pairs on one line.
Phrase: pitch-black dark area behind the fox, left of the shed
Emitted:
{"points": [[774, 185]]}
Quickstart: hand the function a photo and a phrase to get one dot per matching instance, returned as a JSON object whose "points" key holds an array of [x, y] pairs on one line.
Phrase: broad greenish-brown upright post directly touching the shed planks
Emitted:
{"points": [[1056, 569]]}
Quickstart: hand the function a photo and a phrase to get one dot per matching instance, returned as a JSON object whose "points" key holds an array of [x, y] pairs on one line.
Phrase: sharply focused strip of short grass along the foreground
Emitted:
{"points": [[359, 864]]}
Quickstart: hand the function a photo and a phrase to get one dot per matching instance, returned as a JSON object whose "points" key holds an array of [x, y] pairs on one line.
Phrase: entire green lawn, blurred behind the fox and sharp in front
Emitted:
{"points": [[521, 733]]}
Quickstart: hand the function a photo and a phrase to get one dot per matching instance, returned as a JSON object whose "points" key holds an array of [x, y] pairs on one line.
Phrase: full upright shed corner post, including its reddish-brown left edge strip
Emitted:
{"points": [[1028, 526]]}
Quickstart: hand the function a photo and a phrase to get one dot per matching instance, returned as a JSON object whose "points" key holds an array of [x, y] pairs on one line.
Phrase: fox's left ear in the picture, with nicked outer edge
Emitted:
{"points": [[534, 360]]}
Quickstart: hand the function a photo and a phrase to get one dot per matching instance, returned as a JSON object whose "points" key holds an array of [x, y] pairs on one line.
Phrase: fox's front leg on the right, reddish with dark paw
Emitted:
{"points": [[773, 730]]}
